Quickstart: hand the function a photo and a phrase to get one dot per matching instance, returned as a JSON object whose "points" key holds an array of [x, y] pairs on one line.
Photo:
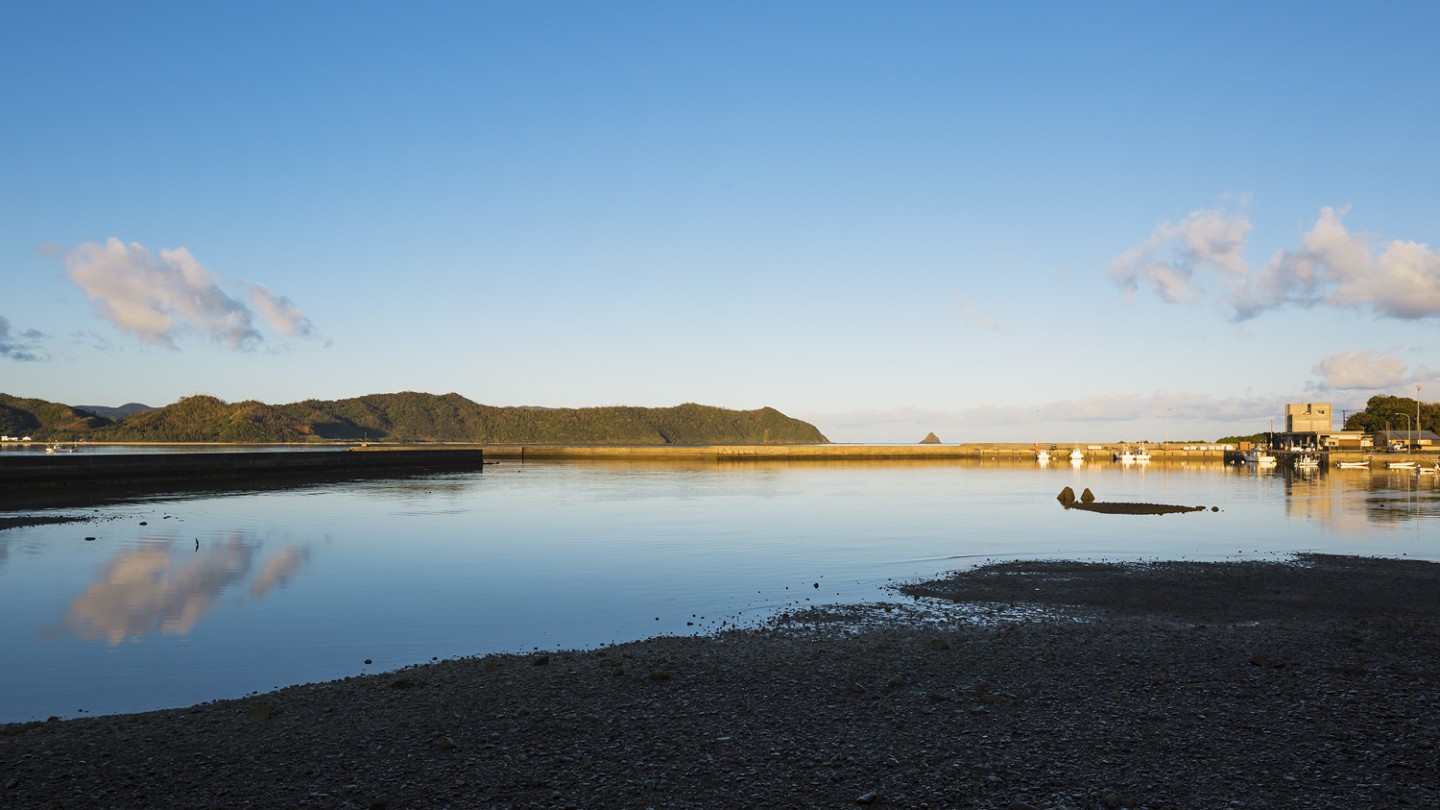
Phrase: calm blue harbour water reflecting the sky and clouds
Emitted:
{"points": [[185, 600]]}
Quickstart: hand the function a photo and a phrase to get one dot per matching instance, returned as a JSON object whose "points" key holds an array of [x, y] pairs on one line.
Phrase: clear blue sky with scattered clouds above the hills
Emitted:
{"points": [[993, 221]]}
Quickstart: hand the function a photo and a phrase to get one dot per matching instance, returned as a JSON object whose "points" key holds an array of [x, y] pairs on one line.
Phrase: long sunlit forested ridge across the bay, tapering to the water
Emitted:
{"points": [[427, 417]]}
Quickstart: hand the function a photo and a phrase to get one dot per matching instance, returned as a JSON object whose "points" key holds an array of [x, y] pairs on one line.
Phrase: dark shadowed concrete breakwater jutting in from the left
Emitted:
{"points": [[76, 478]]}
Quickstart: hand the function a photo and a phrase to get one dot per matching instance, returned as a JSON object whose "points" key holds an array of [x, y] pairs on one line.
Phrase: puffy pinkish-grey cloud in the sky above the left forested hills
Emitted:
{"points": [[161, 296]]}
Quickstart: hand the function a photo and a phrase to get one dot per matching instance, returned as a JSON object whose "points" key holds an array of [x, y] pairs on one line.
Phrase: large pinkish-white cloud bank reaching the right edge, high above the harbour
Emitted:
{"points": [[1331, 267]]}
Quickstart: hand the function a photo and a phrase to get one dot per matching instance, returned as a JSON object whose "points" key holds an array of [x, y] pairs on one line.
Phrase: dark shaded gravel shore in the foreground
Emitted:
{"points": [[1161, 685]]}
